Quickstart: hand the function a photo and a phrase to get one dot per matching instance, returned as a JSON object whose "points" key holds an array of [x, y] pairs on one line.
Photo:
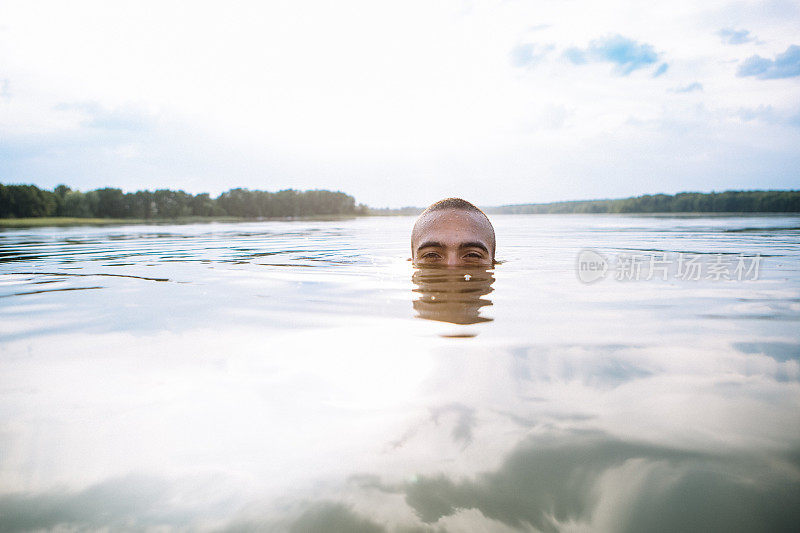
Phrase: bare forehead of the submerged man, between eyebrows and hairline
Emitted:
{"points": [[452, 227]]}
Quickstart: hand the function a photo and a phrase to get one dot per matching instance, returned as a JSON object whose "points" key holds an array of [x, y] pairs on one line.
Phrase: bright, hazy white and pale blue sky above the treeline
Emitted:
{"points": [[402, 103]]}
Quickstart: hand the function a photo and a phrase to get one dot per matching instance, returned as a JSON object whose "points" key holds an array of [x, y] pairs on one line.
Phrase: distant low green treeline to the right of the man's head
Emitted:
{"points": [[684, 202]]}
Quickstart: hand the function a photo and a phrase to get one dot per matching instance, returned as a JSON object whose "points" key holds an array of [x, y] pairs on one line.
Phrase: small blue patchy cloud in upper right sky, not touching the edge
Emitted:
{"points": [[628, 55]]}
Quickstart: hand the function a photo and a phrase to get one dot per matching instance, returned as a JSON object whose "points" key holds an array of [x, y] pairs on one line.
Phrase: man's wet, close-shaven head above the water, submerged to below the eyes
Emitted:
{"points": [[453, 232]]}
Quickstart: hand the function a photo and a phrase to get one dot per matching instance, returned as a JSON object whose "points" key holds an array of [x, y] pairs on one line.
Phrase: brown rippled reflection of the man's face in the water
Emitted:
{"points": [[454, 295]]}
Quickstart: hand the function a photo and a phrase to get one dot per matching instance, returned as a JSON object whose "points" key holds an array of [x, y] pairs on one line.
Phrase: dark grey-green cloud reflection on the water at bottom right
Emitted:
{"points": [[548, 484]]}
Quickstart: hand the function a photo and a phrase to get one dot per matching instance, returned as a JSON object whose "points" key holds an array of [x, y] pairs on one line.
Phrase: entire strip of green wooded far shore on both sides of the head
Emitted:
{"points": [[28, 205]]}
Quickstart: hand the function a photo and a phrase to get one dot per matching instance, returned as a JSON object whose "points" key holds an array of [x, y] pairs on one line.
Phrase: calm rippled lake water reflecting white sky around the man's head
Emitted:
{"points": [[613, 373]]}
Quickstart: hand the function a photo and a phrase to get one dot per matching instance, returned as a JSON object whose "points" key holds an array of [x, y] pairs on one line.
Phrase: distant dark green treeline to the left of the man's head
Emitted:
{"points": [[22, 201]]}
